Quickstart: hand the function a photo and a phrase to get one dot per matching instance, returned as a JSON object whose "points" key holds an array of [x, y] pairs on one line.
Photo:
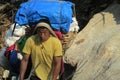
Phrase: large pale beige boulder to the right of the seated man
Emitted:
{"points": [[96, 49]]}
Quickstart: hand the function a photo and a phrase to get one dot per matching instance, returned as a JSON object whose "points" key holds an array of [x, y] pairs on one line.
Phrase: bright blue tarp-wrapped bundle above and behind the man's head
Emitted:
{"points": [[58, 12]]}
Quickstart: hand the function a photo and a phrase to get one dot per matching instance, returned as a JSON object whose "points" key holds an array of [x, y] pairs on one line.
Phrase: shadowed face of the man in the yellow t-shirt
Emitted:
{"points": [[43, 33]]}
